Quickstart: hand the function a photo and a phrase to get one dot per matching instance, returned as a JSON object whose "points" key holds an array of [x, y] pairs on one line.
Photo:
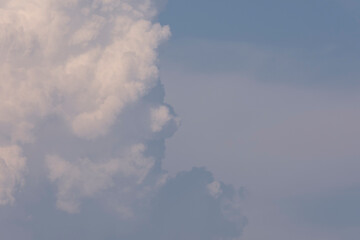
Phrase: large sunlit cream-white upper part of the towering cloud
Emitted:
{"points": [[84, 61]]}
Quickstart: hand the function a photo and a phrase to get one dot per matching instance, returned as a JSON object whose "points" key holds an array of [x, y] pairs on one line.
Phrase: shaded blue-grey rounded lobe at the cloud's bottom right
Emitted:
{"points": [[186, 209]]}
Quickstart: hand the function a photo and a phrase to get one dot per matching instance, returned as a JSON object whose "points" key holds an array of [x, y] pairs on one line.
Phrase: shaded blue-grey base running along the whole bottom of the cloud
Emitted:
{"points": [[181, 209]]}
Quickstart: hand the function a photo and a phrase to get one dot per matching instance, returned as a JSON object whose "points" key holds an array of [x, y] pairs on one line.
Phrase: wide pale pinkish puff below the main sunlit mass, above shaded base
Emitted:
{"points": [[83, 178]]}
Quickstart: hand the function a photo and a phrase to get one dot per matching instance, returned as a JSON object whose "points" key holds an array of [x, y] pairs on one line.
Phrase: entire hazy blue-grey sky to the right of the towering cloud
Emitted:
{"points": [[268, 96]]}
